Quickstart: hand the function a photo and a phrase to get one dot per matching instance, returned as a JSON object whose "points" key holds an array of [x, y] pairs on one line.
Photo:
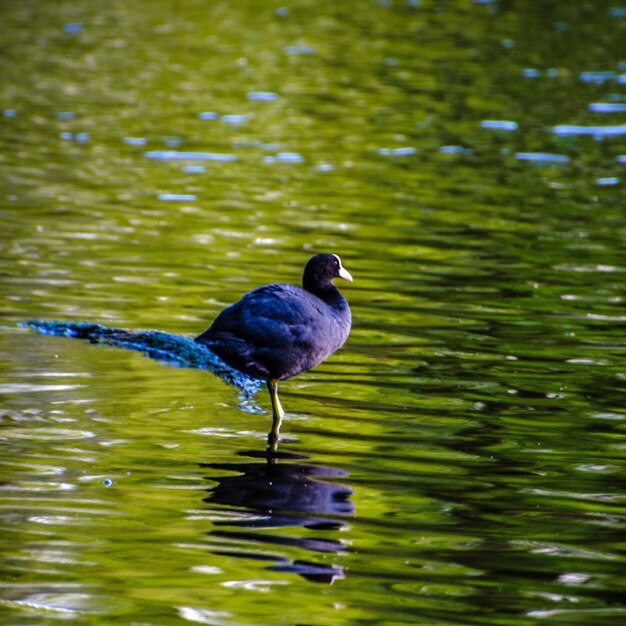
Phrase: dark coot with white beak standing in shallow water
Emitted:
{"points": [[279, 331]]}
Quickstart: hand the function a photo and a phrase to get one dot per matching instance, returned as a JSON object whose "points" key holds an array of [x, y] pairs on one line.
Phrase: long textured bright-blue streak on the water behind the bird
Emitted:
{"points": [[155, 344]]}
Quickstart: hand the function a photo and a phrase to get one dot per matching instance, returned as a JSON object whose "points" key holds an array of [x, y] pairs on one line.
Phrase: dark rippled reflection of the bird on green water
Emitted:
{"points": [[271, 494]]}
